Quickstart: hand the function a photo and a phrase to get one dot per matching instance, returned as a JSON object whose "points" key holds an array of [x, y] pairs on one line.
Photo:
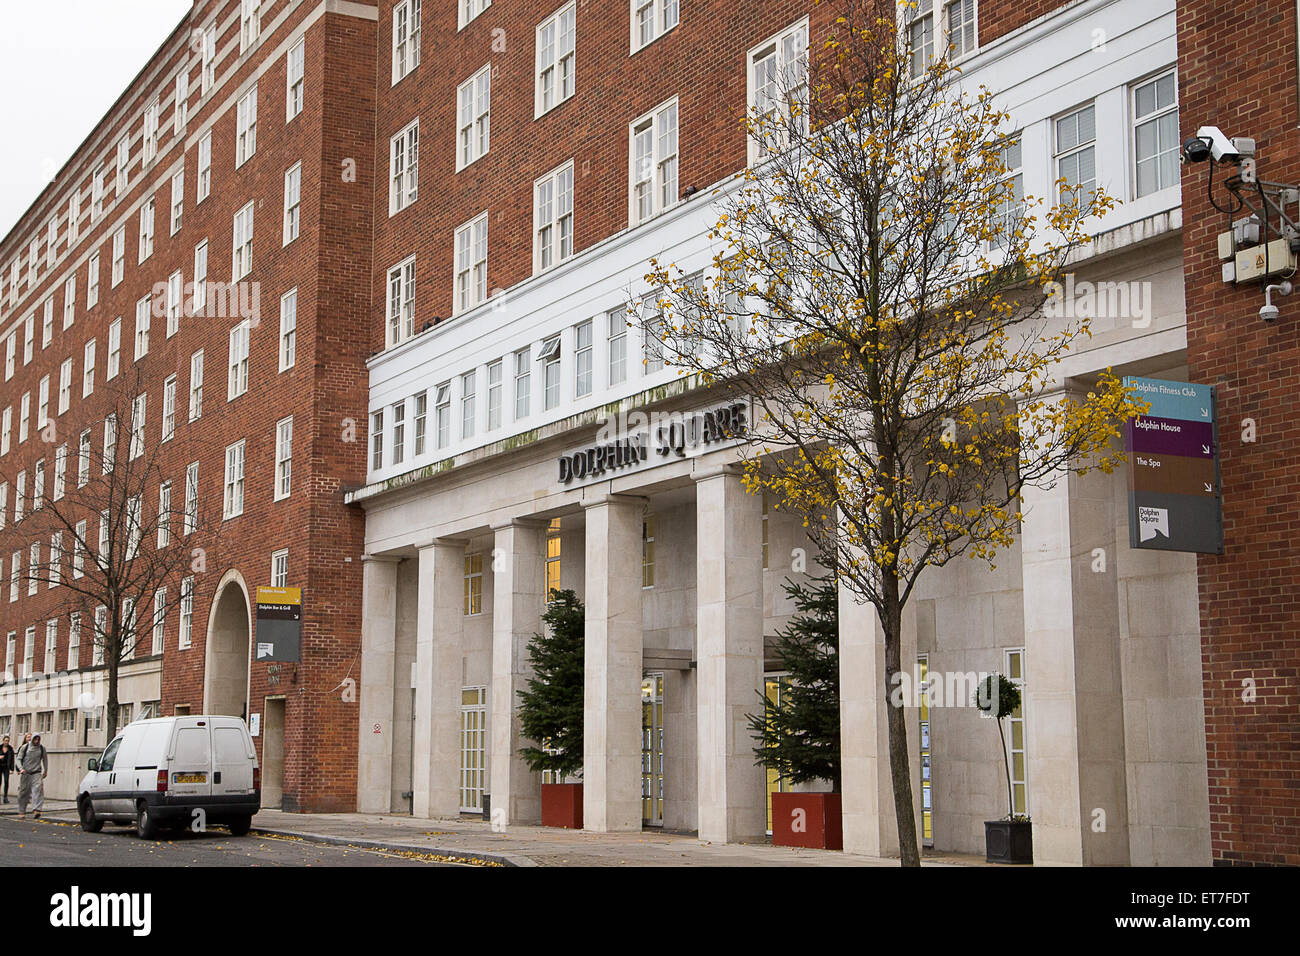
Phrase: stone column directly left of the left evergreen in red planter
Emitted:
{"points": [[518, 582]]}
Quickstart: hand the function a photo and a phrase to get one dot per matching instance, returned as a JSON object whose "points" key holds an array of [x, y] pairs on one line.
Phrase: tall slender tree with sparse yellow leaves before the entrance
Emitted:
{"points": [[878, 293]]}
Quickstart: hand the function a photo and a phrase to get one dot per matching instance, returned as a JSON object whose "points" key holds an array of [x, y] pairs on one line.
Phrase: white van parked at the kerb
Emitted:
{"points": [[158, 773]]}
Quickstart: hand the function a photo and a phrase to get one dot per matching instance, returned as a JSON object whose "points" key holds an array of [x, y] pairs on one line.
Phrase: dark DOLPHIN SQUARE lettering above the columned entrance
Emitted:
{"points": [[642, 439]]}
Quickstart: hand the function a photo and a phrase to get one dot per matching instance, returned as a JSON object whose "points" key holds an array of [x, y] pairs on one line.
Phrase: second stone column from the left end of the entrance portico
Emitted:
{"points": [[440, 625]]}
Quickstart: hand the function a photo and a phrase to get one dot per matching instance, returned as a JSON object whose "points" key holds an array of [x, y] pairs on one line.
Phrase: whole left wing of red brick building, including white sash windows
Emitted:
{"points": [[252, 127]]}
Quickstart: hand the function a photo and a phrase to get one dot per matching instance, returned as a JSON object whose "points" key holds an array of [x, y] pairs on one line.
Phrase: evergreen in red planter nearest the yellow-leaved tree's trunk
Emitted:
{"points": [[799, 736]]}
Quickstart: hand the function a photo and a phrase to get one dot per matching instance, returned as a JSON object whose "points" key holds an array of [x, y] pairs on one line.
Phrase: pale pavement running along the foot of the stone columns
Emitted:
{"points": [[471, 840]]}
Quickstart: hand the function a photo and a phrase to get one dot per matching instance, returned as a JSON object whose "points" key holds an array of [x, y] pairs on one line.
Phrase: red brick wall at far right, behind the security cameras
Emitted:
{"points": [[1238, 71]]}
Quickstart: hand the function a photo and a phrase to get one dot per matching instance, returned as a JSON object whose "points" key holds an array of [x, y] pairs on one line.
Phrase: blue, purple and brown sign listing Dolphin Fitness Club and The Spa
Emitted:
{"points": [[1175, 496]]}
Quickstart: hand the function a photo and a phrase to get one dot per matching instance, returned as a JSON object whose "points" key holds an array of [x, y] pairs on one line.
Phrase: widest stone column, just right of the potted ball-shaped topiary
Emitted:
{"points": [[1073, 686]]}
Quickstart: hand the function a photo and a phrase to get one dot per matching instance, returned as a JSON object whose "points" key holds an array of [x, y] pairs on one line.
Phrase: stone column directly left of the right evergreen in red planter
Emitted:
{"points": [[730, 654]]}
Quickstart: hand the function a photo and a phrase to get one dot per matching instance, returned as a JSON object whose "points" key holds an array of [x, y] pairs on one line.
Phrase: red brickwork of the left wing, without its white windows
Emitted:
{"points": [[326, 390]]}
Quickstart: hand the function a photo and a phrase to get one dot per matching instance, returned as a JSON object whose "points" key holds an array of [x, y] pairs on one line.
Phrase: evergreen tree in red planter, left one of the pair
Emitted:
{"points": [[551, 710]]}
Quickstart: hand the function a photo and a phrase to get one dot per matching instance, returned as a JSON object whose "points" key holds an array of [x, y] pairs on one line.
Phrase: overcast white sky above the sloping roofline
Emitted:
{"points": [[63, 64]]}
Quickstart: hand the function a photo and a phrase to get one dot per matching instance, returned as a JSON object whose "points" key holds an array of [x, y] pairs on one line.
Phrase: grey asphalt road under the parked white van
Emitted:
{"points": [[60, 843]]}
